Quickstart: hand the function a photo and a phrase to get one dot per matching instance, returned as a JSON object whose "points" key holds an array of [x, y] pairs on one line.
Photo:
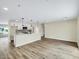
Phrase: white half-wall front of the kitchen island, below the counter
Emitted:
{"points": [[22, 39]]}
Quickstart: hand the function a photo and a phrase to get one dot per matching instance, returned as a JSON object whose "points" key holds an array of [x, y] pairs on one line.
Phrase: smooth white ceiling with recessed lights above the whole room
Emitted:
{"points": [[38, 10]]}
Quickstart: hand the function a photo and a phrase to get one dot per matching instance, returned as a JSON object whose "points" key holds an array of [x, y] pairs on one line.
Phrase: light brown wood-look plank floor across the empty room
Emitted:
{"points": [[43, 49]]}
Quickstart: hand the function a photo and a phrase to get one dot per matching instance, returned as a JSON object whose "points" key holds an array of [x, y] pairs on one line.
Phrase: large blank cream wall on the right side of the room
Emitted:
{"points": [[62, 30]]}
